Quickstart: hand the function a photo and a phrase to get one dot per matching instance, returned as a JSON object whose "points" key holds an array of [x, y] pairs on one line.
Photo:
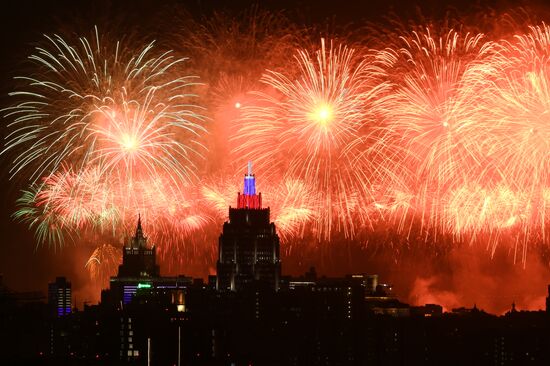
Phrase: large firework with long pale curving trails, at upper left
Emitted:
{"points": [[94, 104]]}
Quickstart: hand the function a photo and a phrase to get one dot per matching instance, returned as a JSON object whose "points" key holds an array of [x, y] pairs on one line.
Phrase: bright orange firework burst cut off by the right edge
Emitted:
{"points": [[516, 99]]}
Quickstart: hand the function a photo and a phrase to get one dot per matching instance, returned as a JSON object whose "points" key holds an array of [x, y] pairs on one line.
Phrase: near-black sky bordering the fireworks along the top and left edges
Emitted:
{"points": [[27, 267]]}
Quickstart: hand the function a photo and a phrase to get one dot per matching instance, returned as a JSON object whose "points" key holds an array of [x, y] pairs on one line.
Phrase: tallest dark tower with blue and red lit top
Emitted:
{"points": [[249, 244]]}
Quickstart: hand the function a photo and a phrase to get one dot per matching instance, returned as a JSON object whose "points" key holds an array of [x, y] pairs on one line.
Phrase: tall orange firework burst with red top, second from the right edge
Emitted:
{"points": [[429, 108]]}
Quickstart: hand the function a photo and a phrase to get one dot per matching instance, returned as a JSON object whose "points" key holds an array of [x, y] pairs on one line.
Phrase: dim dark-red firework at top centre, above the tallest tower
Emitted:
{"points": [[236, 47]]}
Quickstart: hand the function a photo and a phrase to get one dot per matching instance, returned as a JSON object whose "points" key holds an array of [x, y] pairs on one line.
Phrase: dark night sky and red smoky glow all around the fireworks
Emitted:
{"points": [[459, 277]]}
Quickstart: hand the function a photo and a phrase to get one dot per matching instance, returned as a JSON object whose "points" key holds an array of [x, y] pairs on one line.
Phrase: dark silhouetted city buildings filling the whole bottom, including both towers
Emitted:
{"points": [[249, 314]]}
